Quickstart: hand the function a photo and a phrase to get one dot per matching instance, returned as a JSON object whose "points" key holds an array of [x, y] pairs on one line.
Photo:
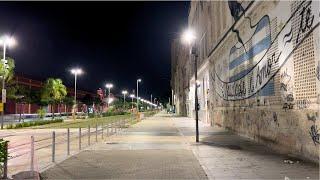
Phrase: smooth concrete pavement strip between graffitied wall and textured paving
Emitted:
{"points": [[224, 155]]}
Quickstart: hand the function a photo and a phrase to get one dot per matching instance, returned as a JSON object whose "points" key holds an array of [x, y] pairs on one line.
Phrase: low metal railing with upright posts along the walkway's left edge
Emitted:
{"points": [[22, 156]]}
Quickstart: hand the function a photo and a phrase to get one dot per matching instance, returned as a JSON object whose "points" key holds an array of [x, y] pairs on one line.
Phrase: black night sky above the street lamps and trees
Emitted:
{"points": [[111, 41]]}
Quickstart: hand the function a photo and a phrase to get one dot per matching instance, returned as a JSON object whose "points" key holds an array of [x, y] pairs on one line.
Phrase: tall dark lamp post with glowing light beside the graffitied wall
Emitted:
{"points": [[189, 38]]}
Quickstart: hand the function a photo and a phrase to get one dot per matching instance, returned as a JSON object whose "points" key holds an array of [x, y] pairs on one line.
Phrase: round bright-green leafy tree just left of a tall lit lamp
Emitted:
{"points": [[53, 92]]}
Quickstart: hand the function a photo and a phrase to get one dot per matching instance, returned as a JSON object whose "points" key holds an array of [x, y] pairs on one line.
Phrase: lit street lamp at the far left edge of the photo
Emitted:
{"points": [[10, 42]]}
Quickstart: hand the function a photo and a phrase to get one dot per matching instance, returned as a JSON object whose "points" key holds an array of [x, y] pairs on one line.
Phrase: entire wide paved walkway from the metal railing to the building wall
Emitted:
{"points": [[162, 147]]}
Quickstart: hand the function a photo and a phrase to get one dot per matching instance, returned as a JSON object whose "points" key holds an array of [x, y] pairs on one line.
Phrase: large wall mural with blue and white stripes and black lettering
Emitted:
{"points": [[253, 63]]}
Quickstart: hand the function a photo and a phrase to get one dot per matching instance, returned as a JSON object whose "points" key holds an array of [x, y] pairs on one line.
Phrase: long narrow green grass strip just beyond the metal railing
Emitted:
{"points": [[83, 123]]}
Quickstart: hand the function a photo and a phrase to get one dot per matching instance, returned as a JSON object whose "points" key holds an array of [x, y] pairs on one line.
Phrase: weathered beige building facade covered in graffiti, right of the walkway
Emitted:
{"points": [[258, 71]]}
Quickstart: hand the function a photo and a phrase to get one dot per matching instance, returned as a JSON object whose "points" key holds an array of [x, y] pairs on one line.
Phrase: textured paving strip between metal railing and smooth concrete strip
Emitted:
{"points": [[151, 149]]}
